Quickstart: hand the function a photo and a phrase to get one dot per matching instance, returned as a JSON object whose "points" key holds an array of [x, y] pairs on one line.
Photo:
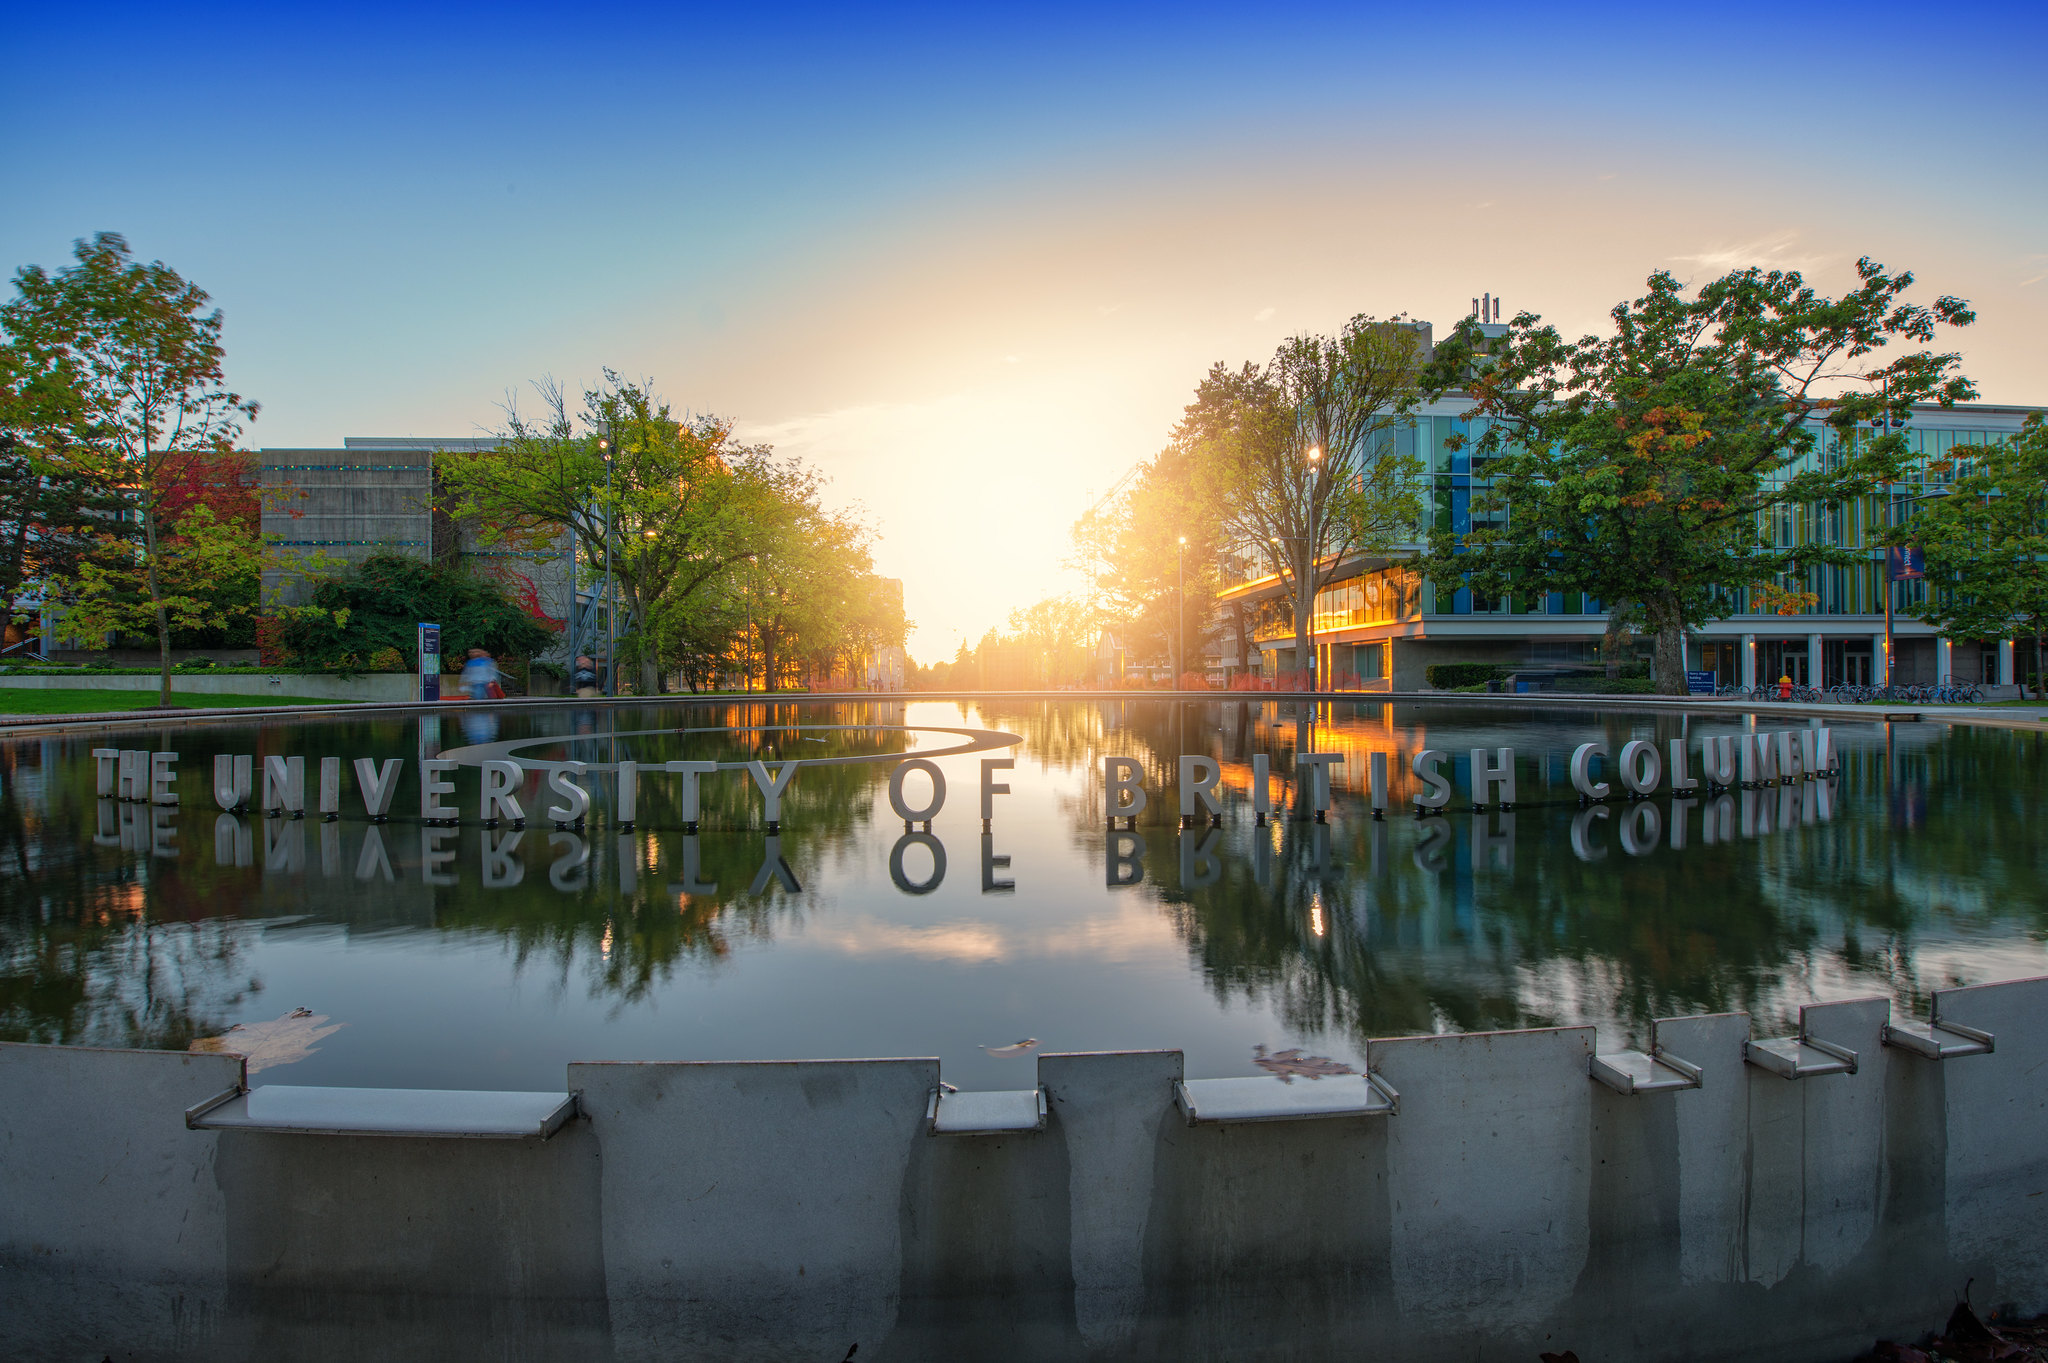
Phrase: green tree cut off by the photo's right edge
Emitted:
{"points": [[1988, 543]]}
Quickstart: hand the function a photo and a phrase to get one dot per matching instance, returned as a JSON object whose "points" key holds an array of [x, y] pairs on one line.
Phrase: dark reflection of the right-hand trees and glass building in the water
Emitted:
{"points": [[1469, 944]]}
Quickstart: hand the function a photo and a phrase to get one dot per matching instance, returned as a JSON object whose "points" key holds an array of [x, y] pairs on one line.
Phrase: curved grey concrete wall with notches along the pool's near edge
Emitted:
{"points": [[794, 1211]]}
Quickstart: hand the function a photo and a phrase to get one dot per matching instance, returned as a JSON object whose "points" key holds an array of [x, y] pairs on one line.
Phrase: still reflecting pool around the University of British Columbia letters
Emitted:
{"points": [[486, 959]]}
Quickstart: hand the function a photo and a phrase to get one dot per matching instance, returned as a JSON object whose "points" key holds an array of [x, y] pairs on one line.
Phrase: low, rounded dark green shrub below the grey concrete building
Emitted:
{"points": [[378, 605]]}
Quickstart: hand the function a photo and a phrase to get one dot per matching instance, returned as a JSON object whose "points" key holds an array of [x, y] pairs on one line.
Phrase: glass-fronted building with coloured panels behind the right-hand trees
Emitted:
{"points": [[1379, 625]]}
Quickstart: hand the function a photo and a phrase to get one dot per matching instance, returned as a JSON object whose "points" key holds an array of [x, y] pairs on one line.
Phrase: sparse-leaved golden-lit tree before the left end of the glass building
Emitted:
{"points": [[1299, 461]]}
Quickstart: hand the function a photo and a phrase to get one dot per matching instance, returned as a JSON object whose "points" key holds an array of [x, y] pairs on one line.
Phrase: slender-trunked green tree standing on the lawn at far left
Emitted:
{"points": [[120, 371]]}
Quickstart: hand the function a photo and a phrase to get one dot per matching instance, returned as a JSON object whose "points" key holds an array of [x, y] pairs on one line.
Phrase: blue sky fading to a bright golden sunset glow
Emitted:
{"points": [[972, 265]]}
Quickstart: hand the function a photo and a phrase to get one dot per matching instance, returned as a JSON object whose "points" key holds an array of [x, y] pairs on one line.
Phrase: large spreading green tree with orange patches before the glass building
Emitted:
{"points": [[1641, 468]]}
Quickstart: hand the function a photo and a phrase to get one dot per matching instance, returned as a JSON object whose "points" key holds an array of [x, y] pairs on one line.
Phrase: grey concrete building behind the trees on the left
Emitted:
{"points": [[378, 496]]}
